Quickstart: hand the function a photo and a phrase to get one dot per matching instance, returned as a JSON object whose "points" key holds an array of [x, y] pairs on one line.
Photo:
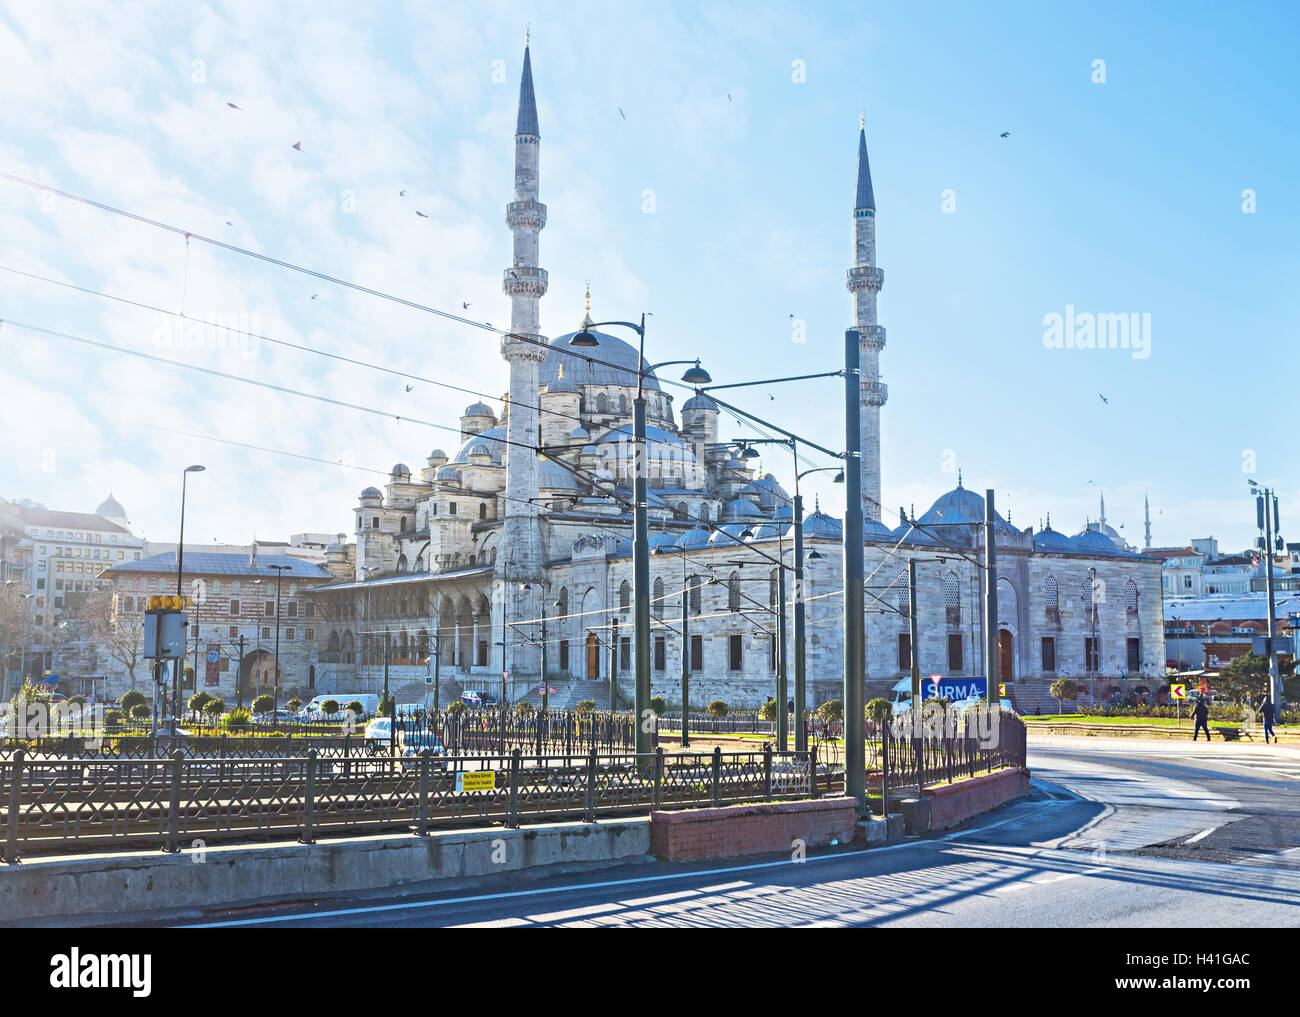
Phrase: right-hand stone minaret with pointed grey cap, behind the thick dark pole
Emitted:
{"points": [[865, 282]]}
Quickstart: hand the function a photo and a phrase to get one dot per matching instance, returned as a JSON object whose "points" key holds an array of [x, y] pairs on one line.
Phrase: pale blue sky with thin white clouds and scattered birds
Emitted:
{"points": [[699, 165]]}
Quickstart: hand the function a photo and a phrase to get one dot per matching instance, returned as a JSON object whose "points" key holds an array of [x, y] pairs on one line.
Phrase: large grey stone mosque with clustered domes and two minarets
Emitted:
{"points": [[517, 546]]}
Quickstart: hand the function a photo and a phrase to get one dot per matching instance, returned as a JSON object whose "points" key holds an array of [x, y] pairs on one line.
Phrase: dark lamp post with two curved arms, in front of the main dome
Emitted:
{"points": [[642, 536]]}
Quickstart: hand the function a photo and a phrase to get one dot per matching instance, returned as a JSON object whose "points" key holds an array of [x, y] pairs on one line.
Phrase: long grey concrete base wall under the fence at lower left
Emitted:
{"points": [[244, 875]]}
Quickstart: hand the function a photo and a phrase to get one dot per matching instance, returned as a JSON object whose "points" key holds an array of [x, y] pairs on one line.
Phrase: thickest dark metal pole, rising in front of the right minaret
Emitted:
{"points": [[855, 637]]}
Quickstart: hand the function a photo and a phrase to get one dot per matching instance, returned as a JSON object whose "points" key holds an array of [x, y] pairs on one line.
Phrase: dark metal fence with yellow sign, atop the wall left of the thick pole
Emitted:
{"points": [[57, 804]]}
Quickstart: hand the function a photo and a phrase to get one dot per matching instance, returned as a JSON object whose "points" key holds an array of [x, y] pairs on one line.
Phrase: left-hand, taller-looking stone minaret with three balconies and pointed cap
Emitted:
{"points": [[526, 284]]}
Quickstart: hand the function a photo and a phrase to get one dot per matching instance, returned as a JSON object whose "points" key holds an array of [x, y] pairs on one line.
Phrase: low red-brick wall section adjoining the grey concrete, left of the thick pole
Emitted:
{"points": [[738, 830]]}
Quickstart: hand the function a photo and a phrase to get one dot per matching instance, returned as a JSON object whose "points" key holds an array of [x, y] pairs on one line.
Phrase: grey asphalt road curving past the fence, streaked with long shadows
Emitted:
{"points": [[1181, 837]]}
